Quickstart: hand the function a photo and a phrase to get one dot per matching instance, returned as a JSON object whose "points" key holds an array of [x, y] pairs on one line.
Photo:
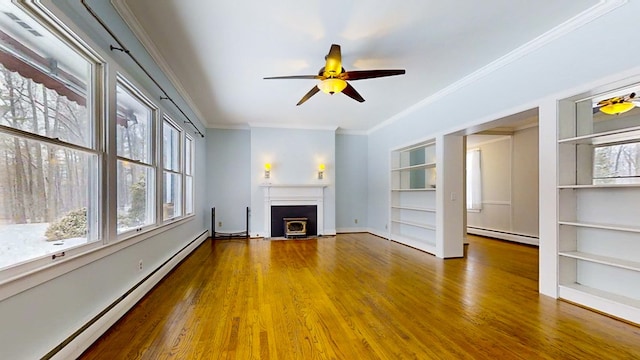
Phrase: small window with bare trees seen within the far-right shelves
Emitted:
{"points": [[617, 164]]}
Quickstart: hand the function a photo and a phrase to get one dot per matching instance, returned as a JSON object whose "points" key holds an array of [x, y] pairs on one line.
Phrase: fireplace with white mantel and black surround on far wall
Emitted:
{"points": [[306, 201]]}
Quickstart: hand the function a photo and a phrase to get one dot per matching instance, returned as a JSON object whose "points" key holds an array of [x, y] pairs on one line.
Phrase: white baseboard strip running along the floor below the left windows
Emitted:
{"points": [[87, 337]]}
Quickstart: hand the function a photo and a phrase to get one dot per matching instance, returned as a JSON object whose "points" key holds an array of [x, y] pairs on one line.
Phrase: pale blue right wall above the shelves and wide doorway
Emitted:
{"points": [[575, 60]]}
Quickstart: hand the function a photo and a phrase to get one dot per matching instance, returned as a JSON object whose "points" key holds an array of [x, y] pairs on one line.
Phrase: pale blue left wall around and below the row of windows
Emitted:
{"points": [[37, 320]]}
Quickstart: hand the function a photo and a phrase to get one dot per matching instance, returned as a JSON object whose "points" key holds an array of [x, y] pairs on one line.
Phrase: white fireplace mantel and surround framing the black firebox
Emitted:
{"points": [[291, 195]]}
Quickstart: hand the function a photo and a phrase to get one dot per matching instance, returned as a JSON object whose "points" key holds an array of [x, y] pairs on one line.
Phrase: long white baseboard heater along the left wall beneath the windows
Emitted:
{"points": [[74, 345]]}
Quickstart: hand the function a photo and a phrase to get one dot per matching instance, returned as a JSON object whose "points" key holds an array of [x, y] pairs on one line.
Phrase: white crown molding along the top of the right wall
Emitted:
{"points": [[602, 8]]}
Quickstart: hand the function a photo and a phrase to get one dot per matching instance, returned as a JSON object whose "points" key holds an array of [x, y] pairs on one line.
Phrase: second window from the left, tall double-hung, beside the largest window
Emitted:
{"points": [[136, 171]]}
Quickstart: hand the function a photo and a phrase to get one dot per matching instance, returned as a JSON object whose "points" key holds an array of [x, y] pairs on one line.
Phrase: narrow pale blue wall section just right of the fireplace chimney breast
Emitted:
{"points": [[351, 182]]}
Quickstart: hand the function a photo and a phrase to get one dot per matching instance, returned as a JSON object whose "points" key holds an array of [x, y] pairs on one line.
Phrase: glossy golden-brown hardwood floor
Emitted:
{"points": [[357, 296]]}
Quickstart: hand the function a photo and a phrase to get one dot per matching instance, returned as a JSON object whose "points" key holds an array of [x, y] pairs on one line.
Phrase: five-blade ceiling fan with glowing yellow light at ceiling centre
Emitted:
{"points": [[333, 77]]}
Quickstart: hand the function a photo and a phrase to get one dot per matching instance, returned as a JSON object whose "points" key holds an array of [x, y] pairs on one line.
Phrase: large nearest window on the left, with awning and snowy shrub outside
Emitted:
{"points": [[49, 188]]}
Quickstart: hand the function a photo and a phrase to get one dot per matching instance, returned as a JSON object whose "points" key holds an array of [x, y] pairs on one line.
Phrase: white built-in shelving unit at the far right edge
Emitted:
{"points": [[599, 217]]}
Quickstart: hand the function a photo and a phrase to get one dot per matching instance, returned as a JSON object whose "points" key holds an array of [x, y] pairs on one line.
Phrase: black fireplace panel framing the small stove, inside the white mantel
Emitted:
{"points": [[296, 212]]}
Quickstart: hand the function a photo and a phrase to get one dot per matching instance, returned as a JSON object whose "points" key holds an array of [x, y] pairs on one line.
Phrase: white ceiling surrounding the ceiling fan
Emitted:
{"points": [[217, 52]]}
